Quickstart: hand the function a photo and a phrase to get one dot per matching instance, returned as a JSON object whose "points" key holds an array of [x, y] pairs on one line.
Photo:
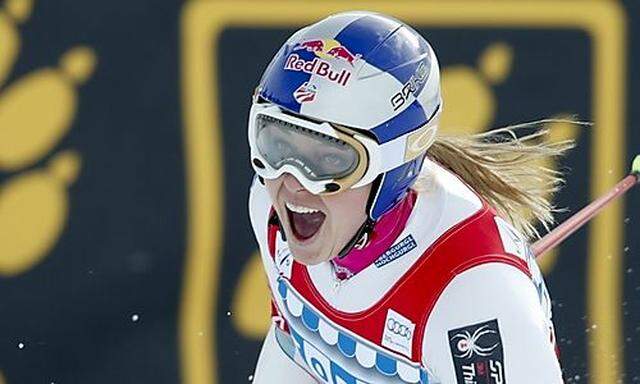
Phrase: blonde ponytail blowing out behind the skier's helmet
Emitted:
{"points": [[504, 166]]}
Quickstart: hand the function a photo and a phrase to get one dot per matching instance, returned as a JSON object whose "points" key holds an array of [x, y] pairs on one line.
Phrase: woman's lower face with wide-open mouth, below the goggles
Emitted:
{"points": [[317, 227]]}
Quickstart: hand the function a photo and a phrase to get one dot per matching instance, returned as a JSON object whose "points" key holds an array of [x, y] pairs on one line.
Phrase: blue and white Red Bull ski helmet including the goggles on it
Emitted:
{"points": [[363, 87]]}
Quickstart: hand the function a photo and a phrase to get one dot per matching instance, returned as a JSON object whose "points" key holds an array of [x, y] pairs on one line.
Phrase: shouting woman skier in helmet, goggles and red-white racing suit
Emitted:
{"points": [[393, 255]]}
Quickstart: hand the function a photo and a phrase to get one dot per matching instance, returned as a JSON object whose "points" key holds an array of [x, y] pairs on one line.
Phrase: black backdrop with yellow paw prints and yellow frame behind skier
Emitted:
{"points": [[126, 254]]}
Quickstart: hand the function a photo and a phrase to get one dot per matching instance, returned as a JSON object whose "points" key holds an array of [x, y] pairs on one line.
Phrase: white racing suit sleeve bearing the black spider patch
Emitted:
{"points": [[488, 326]]}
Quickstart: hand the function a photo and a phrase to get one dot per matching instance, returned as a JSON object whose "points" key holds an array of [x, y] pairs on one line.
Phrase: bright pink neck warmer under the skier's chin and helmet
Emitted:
{"points": [[384, 233]]}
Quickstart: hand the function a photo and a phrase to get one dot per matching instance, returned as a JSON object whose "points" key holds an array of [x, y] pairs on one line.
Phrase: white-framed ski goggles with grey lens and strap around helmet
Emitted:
{"points": [[325, 158]]}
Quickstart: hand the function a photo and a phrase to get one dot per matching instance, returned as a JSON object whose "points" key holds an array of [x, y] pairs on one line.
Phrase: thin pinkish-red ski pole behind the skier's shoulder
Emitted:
{"points": [[575, 222]]}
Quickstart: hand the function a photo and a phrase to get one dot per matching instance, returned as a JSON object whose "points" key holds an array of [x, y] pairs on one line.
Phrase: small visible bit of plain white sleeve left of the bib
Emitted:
{"points": [[274, 366]]}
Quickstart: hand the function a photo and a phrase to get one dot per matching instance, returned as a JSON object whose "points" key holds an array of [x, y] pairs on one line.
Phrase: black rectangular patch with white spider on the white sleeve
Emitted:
{"points": [[477, 353]]}
